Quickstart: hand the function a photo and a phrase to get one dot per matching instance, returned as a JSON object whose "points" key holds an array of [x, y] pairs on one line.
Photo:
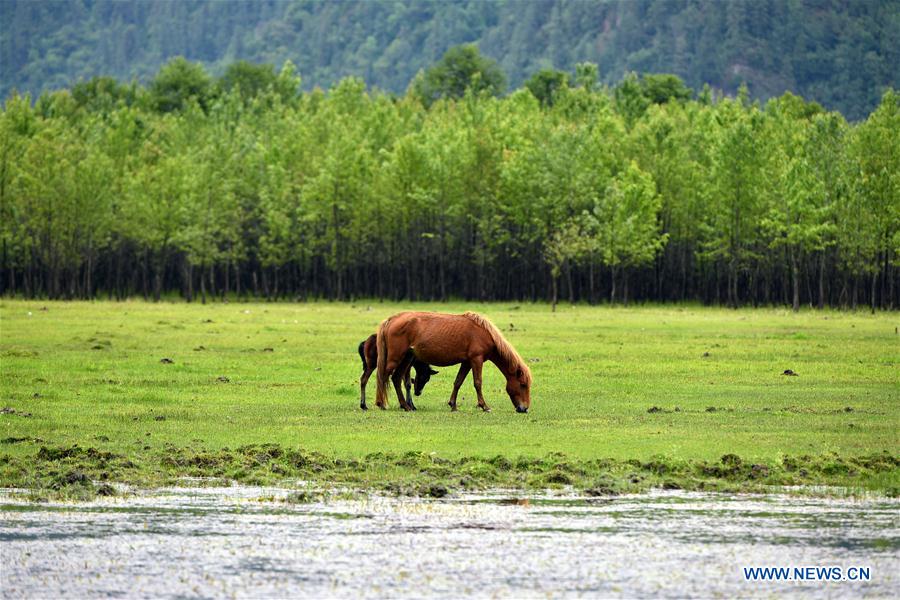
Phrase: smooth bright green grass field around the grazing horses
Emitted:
{"points": [[90, 374]]}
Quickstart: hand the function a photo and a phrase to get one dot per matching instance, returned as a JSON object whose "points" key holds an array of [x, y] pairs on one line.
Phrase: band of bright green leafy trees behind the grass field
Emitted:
{"points": [[564, 189]]}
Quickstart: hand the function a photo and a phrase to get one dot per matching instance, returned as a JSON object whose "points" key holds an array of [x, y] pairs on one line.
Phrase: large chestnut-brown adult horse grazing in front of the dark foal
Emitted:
{"points": [[442, 340]]}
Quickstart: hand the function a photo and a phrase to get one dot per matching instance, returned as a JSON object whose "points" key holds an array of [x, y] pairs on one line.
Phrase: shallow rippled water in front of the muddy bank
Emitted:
{"points": [[215, 542]]}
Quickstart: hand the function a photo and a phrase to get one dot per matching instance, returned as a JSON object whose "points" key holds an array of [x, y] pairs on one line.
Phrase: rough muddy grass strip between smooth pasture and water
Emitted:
{"points": [[79, 473]]}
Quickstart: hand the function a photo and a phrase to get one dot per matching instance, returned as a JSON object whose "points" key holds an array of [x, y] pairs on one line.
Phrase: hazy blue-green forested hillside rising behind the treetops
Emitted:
{"points": [[841, 54]]}
